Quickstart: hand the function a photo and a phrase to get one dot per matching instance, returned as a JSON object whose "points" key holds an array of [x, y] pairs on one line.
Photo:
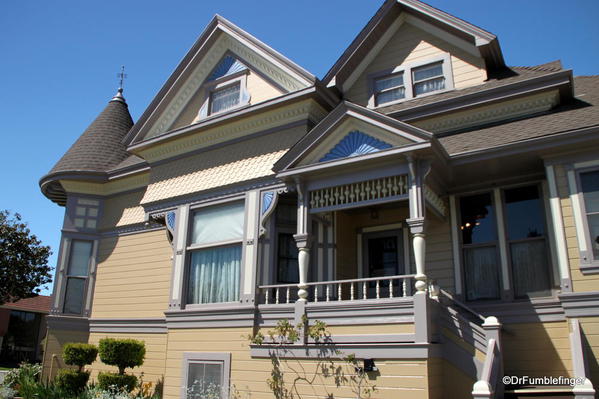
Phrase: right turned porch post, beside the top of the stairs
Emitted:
{"points": [[416, 220]]}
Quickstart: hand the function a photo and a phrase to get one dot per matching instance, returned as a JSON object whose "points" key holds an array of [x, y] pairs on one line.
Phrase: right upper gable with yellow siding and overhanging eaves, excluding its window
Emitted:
{"points": [[410, 42]]}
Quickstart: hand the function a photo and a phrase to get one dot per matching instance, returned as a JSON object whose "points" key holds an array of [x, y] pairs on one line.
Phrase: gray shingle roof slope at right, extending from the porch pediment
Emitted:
{"points": [[582, 112]]}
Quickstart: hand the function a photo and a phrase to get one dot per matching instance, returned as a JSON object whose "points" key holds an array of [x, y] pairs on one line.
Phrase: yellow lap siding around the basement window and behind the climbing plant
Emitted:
{"points": [[405, 379]]}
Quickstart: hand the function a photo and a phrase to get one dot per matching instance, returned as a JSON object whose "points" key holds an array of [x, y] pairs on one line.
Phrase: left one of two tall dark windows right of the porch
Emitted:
{"points": [[479, 247]]}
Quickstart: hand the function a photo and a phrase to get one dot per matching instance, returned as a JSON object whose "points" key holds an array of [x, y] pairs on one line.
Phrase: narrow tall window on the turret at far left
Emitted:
{"points": [[76, 278]]}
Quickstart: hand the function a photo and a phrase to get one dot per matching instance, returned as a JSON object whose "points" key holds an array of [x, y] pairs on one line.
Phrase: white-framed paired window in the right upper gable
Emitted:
{"points": [[409, 81]]}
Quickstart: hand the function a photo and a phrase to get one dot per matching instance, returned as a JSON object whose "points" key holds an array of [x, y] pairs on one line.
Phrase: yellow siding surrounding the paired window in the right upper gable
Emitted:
{"points": [[411, 44]]}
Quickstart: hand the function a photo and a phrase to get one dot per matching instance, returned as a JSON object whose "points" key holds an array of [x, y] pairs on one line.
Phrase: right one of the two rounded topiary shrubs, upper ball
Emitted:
{"points": [[122, 353]]}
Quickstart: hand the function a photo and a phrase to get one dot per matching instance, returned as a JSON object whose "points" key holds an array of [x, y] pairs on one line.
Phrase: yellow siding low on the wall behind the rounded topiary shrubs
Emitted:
{"points": [[153, 367]]}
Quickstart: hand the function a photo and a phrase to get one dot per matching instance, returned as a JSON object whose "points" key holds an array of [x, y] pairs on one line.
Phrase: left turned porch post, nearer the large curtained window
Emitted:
{"points": [[302, 239]]}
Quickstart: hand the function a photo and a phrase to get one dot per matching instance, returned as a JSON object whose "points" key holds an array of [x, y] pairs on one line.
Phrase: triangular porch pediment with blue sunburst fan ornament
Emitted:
{"points": [[350, 131]]}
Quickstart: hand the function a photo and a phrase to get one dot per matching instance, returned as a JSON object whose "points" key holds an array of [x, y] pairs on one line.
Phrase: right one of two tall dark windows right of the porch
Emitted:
{"points": [[526, 240]]}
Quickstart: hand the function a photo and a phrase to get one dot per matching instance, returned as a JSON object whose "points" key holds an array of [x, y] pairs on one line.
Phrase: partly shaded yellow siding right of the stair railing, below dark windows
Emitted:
{"points": [[537, 349]]}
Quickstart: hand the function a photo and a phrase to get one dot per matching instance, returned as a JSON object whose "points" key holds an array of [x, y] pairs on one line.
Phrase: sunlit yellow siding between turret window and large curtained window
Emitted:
{"points": [[133, 277]]}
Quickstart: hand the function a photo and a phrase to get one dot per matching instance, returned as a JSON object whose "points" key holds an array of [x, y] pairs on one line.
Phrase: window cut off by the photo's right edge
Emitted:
{"points": [[589, 185]]}
